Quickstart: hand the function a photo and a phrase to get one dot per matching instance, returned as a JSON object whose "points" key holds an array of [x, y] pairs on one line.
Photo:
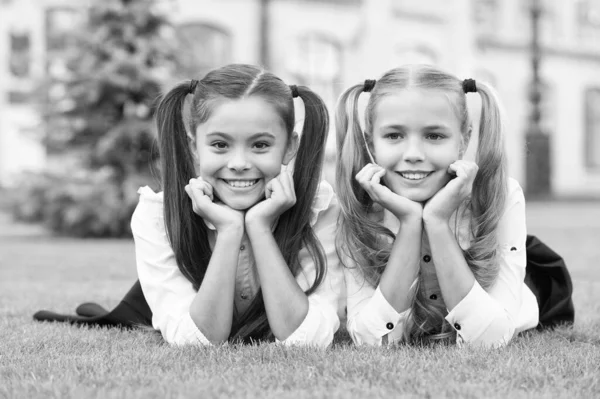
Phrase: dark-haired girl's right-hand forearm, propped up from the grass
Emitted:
{"points": [[285, 302]]}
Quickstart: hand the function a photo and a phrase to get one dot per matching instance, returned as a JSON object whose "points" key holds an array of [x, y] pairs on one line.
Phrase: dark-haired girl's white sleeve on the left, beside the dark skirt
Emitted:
{"points": [[168, 292]]}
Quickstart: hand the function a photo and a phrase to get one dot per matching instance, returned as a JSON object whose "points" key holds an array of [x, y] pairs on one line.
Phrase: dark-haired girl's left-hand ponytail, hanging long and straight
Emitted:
{"points": [[186, 231]]}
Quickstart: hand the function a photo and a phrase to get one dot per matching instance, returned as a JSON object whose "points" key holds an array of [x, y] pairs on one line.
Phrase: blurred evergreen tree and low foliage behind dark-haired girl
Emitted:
{"points": [[99, 112]]}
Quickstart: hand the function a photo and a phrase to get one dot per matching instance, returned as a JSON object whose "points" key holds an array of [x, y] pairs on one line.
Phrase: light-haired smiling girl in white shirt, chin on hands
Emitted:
{"points": [[434, 245]]}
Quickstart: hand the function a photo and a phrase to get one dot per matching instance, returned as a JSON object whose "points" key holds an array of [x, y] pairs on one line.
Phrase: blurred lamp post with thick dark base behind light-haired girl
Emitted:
{"points": [[538, 167]]}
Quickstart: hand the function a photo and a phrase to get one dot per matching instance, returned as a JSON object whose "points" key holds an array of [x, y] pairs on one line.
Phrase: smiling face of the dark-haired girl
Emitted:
{"points": [[240, 148]]}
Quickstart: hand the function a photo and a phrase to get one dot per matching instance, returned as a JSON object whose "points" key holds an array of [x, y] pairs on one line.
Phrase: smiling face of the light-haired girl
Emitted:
{"points": [[416, 136]]}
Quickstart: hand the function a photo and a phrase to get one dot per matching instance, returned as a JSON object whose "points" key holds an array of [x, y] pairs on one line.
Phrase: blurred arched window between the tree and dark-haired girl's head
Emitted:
{"points": [[205, 47]]}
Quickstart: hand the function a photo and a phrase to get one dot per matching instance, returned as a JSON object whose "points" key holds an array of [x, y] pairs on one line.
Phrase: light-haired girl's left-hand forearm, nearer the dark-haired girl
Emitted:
{"points": [[403, 265]]}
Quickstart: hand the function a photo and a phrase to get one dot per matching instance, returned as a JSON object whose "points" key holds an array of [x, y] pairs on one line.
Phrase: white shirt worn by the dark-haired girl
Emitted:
{"points": [[169, 293]]}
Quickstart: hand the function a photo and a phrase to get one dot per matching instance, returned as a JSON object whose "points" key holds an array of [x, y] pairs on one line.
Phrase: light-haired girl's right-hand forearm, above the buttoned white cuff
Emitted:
{"points": [[453, 272]]}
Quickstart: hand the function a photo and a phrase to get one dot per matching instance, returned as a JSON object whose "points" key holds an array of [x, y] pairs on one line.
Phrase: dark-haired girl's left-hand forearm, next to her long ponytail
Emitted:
{"points": [[212, 308]]}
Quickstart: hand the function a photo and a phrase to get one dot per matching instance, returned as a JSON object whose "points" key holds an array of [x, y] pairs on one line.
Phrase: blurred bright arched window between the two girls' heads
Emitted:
{"points": [[316, 62]]}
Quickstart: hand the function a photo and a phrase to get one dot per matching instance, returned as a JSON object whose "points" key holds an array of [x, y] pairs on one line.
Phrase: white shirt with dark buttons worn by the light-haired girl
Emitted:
{"points": [[487, 318]]}
